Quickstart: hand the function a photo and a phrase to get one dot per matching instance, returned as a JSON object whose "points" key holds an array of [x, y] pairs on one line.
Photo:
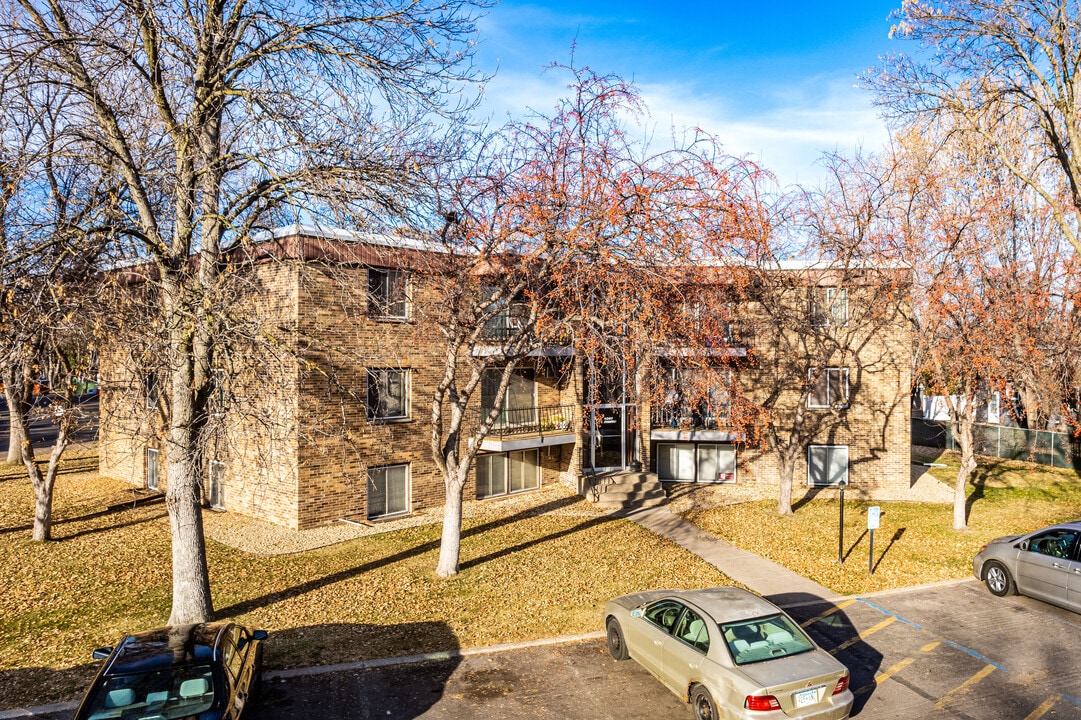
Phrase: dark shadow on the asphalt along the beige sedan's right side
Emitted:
{"points": [[833, 630]]}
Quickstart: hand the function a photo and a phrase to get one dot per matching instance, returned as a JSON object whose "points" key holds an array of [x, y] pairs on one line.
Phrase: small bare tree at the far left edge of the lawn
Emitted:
{"points": [[51, 241]]}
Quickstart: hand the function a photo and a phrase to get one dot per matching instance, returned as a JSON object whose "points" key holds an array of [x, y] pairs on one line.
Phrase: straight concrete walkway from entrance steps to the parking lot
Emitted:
{"points": [[780, 585]]}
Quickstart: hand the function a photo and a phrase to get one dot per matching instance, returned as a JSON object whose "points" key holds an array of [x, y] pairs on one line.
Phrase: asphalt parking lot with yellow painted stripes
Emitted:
{"points": [[943, 652]]}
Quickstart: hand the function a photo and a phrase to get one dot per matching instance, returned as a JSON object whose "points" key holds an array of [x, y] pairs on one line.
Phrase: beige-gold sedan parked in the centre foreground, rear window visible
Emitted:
{"points": [[729, 654]]}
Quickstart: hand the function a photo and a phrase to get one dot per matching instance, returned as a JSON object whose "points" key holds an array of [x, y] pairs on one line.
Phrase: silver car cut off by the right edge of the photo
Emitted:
{"points": [[1044, 565]]}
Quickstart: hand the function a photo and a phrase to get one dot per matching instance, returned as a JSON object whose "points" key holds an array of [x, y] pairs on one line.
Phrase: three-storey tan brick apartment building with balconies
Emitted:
{"points": [[337, 424]]}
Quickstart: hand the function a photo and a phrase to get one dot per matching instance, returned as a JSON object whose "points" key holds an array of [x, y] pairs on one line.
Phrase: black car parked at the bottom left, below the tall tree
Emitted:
{"points": [[208, 672]]}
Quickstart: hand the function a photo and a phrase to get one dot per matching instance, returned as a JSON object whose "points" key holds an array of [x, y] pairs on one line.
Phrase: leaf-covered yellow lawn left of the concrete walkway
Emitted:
{"points": [[530, 575]]}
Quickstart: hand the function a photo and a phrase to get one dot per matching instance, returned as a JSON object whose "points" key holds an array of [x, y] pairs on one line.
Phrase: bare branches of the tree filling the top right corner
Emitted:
{"points": [[1004, 72]]}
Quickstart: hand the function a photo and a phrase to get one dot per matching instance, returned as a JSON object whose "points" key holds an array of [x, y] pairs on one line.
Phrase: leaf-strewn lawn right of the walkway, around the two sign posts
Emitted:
{"points": [[915, 543]]}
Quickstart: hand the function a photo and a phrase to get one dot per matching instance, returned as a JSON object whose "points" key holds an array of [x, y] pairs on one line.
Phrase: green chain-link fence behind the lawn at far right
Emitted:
{"points": [[1042, 447]]}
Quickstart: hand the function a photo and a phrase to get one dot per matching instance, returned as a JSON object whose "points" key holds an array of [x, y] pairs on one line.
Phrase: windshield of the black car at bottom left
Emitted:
{"points": [[175, 692]]}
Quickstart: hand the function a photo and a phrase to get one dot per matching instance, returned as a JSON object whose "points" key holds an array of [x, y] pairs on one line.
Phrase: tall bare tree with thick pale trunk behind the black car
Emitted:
{"points": [[225, 117]]}
